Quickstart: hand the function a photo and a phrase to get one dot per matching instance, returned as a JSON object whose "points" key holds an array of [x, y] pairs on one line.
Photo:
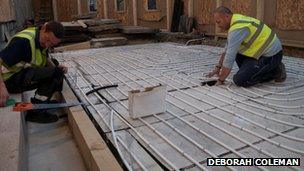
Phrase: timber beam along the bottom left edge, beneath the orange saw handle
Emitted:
{"points": [[12, 139]]}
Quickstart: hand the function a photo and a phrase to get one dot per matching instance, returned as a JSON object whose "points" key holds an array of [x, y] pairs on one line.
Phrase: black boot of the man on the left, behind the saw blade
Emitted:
{"points": [[41, 115]]}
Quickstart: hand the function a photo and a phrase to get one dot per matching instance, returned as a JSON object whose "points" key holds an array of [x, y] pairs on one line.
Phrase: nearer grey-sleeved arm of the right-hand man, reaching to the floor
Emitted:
{"points": [[234, 42]]}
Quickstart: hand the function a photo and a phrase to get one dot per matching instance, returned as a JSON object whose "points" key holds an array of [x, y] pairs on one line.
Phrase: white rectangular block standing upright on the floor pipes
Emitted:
{"points": [[148, 102]]}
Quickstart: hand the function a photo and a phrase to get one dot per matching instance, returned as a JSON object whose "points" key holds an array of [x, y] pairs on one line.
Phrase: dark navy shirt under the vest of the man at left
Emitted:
{"points": [[18, 50]]}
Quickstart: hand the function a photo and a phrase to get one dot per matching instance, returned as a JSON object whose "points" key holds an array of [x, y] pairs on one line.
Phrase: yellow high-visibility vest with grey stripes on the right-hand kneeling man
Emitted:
{"points": [[259, 39]]}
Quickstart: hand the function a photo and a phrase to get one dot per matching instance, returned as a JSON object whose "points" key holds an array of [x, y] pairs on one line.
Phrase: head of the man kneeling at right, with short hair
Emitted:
{"points": [[222, 17]]}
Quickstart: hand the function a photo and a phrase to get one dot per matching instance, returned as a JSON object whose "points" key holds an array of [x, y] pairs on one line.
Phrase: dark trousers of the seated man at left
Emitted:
{"points": [[46, 80]]}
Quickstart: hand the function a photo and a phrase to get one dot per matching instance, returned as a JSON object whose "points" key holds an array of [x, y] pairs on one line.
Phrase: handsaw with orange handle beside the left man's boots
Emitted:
{"points": [[22, 107]]}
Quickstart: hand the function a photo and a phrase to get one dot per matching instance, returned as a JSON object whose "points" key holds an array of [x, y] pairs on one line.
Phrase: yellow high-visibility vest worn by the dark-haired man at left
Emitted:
{"points": [[38, 56]]}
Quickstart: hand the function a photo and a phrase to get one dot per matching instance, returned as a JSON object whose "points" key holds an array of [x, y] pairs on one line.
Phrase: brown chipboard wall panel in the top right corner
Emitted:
{"points": [[290, 14]]}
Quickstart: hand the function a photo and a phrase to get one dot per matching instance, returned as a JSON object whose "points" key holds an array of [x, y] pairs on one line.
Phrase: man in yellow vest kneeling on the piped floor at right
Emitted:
{"points": [[253, 45]]}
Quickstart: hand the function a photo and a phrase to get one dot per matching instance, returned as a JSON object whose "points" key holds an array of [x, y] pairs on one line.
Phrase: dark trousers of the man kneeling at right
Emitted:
{"points": [[252, 71]]}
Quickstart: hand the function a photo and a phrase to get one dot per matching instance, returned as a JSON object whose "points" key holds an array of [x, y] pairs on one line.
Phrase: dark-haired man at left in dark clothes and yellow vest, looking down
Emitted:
{"points": [[25, 65]]}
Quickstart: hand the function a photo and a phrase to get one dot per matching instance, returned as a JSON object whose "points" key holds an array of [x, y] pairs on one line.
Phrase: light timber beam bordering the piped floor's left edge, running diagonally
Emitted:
{"points": [[96, 154]]}
